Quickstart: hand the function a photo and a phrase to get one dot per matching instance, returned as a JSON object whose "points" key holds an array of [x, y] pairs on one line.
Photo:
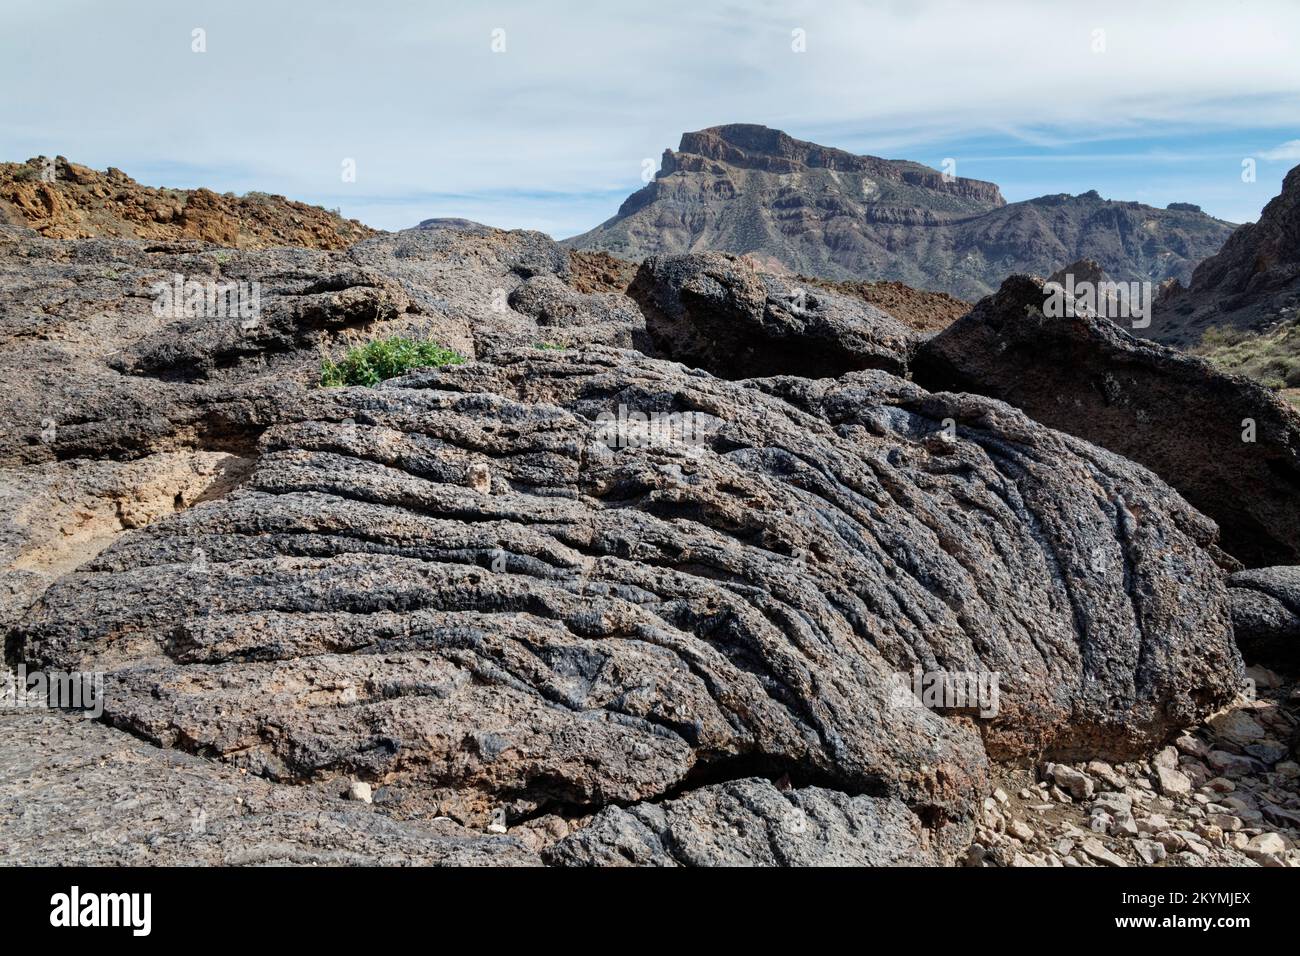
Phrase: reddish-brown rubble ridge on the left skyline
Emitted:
{"points": [[66, 201]]}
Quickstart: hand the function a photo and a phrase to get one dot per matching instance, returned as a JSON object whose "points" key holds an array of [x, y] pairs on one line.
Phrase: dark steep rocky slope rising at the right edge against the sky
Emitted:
{"points": [[1251, 285]]}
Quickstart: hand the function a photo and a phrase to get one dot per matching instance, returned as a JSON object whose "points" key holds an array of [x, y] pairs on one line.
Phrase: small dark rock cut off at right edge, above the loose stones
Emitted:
{"points": [[1267, 616]]}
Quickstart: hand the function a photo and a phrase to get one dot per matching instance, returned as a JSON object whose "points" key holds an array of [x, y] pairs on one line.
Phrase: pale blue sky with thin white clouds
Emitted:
{"points": [[545, 114]]}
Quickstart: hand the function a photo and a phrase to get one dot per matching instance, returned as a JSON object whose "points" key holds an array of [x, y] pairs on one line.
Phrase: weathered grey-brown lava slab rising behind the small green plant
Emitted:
{"points": [[105, 374]]}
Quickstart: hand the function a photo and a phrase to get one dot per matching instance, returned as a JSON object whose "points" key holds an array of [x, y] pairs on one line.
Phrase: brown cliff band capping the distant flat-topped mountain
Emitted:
{"points": [[749, 146]]}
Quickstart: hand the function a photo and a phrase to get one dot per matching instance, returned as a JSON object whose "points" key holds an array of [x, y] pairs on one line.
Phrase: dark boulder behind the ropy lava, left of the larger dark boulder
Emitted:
{"points": [[716, 312]]}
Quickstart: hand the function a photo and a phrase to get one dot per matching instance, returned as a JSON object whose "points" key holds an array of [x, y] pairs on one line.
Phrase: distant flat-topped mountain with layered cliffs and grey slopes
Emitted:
{"points": [[830, 214]]}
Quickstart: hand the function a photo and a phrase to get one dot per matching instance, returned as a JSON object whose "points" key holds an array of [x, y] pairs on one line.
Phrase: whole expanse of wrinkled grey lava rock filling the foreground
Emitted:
{"points": [[571, 596]]}
